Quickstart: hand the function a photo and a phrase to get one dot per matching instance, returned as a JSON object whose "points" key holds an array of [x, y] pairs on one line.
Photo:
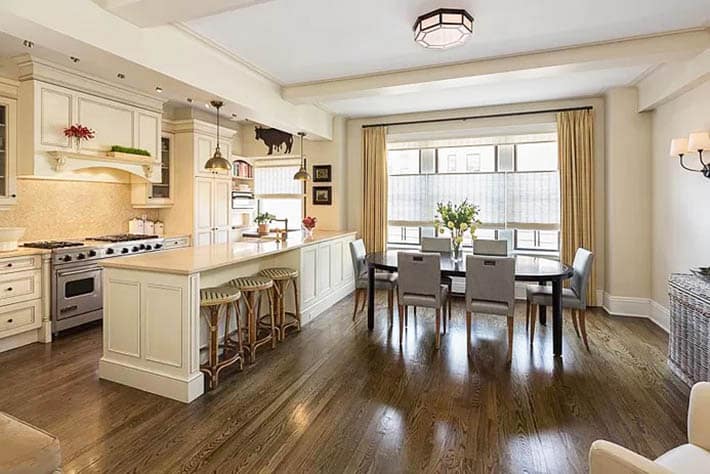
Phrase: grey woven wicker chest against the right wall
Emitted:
{"points": [[688, 345]]}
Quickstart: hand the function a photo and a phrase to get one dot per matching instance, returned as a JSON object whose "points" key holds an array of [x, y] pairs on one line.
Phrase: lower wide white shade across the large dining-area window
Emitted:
{"points": [[520, 200]]}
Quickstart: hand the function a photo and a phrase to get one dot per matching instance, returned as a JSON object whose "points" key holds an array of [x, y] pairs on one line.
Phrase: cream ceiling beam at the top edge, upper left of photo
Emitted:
{"points": [[148, 13]]}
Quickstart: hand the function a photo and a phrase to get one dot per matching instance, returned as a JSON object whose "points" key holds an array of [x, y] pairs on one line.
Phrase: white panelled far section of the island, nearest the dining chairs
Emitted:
{"points": [[326, 275]]}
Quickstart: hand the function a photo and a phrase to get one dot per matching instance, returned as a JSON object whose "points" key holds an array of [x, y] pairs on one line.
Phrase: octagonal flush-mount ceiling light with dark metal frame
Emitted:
{"points": [[443, 28]]}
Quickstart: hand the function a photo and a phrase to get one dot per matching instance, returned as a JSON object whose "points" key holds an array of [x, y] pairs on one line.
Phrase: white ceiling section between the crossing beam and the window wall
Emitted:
{"points": [[562, 86]]}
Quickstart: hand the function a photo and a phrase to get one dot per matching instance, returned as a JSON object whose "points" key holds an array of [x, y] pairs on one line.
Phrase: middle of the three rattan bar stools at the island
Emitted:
{"points": [[254, 288]]}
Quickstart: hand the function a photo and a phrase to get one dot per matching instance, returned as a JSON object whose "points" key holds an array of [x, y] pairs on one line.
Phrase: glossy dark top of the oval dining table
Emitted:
{"points": [[526, 268]]}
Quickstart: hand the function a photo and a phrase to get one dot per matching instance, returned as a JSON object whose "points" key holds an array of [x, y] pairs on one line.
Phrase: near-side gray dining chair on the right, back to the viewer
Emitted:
{"points": [[490, 289]]}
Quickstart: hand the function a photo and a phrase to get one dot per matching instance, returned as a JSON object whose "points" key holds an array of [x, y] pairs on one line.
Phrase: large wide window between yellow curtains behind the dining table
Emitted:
{"points": [[516, 186]]}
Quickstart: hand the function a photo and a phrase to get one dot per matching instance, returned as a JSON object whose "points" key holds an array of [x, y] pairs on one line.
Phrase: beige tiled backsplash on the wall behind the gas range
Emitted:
{"points": [[71, 209]]}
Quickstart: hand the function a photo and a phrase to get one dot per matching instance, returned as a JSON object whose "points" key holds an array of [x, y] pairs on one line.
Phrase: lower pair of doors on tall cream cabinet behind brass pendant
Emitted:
{"points": [[212, 210]]}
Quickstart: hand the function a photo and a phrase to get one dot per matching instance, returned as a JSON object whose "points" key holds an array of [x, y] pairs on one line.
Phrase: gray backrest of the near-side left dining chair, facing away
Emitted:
{"points": [[419, 277]]}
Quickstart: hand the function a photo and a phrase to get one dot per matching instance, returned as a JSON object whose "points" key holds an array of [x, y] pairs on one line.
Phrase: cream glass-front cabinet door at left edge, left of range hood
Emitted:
{"points": [[7, 153]]}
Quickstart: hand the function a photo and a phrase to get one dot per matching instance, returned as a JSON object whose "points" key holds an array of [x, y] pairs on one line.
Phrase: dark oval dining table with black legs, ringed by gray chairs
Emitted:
{"points": [[533, 269]]}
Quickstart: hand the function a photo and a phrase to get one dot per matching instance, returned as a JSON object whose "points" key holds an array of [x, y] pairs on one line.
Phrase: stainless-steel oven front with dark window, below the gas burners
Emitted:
{"points": [[77, 296]]}
